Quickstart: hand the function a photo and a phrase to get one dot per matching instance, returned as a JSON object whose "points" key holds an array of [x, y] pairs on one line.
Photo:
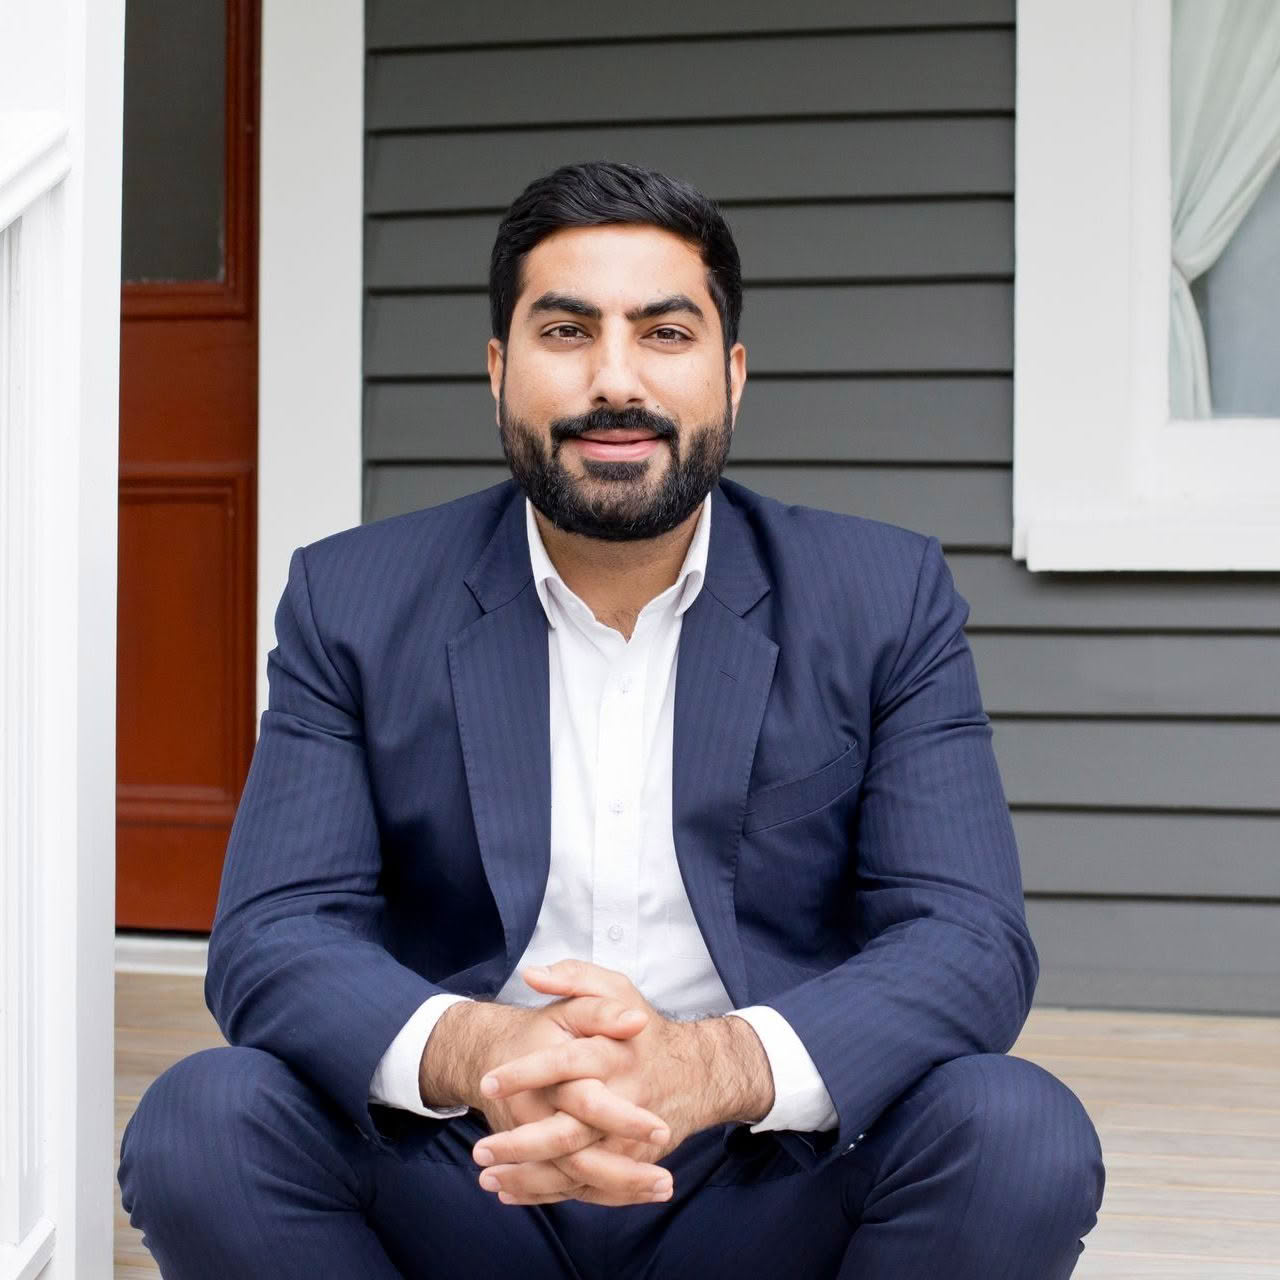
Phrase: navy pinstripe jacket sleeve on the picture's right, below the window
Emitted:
{"points": [[947, 966]]}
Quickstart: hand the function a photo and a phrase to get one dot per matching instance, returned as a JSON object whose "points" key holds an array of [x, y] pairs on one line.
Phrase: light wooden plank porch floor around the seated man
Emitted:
{"points": [[1187, 1107]]}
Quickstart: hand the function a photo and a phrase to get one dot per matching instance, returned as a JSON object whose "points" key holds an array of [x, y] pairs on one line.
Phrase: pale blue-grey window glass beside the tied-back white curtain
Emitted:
{"points": [[1240, 303]]}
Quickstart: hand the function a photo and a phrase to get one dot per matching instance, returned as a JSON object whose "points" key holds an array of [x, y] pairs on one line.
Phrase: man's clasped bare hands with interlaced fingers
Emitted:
{"points": [[602, 1087]]}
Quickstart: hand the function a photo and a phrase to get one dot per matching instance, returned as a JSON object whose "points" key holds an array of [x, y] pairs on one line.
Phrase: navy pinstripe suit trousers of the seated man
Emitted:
{"points": [[986, 1169]]}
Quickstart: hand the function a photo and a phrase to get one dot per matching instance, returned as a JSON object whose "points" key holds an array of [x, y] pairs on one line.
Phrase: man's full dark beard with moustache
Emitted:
{"points": [[627, 510]]}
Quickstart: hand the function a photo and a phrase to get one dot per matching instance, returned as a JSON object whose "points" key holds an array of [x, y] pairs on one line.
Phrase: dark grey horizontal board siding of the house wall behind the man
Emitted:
{"points": [[863, 156]]}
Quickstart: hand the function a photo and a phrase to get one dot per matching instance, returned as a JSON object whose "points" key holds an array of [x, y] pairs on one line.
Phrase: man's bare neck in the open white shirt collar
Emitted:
{"points": [[618, 580]]}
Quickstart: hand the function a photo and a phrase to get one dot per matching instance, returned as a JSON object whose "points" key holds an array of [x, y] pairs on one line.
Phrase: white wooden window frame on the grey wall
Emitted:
{"points": [[1103, 478]]}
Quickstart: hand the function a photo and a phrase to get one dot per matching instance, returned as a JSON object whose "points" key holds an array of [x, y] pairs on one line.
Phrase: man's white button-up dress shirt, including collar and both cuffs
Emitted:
{"points": [[615, 894]]}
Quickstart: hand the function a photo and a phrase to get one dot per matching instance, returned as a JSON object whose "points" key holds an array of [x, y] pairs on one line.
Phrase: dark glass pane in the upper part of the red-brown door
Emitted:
{"points": [[175, 140]]}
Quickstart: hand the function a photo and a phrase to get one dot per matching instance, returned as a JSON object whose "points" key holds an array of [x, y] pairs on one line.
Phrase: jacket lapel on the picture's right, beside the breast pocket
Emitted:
{"points": [[724, 675]]}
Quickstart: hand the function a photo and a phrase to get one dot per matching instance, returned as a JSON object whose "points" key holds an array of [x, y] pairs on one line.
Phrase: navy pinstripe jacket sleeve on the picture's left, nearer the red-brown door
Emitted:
{"points": [[298, 963]]}
